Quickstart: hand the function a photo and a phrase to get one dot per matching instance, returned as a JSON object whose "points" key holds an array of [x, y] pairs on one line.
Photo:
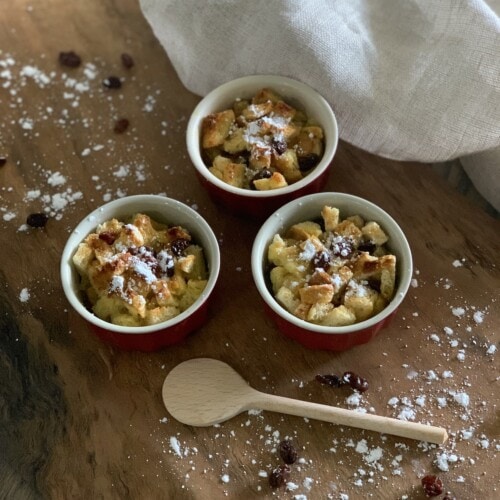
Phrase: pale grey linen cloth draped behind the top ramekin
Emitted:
{"points": [[407, 79]]}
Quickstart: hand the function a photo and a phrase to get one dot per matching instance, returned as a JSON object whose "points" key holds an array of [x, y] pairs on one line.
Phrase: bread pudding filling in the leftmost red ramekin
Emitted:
{"points": [[140, 272]]}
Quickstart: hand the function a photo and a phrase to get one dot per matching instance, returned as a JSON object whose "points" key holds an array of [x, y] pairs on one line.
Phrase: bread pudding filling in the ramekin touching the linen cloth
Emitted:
{"points": [[262, 143]]}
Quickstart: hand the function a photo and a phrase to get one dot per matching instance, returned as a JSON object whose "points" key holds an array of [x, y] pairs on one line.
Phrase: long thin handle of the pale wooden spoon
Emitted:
{"points": [[341, 416]]}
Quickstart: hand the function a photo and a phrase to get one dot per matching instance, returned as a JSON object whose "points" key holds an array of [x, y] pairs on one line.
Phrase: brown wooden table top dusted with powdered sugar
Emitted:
{"points": [[81, 419]]}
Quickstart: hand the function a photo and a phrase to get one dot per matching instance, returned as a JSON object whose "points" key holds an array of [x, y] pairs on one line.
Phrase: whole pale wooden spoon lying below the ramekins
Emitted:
{"points": [[204, 391]]}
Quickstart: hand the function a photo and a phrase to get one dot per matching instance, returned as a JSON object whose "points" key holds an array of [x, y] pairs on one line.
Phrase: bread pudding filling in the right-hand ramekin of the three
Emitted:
{"points": [[332, 272]]}
